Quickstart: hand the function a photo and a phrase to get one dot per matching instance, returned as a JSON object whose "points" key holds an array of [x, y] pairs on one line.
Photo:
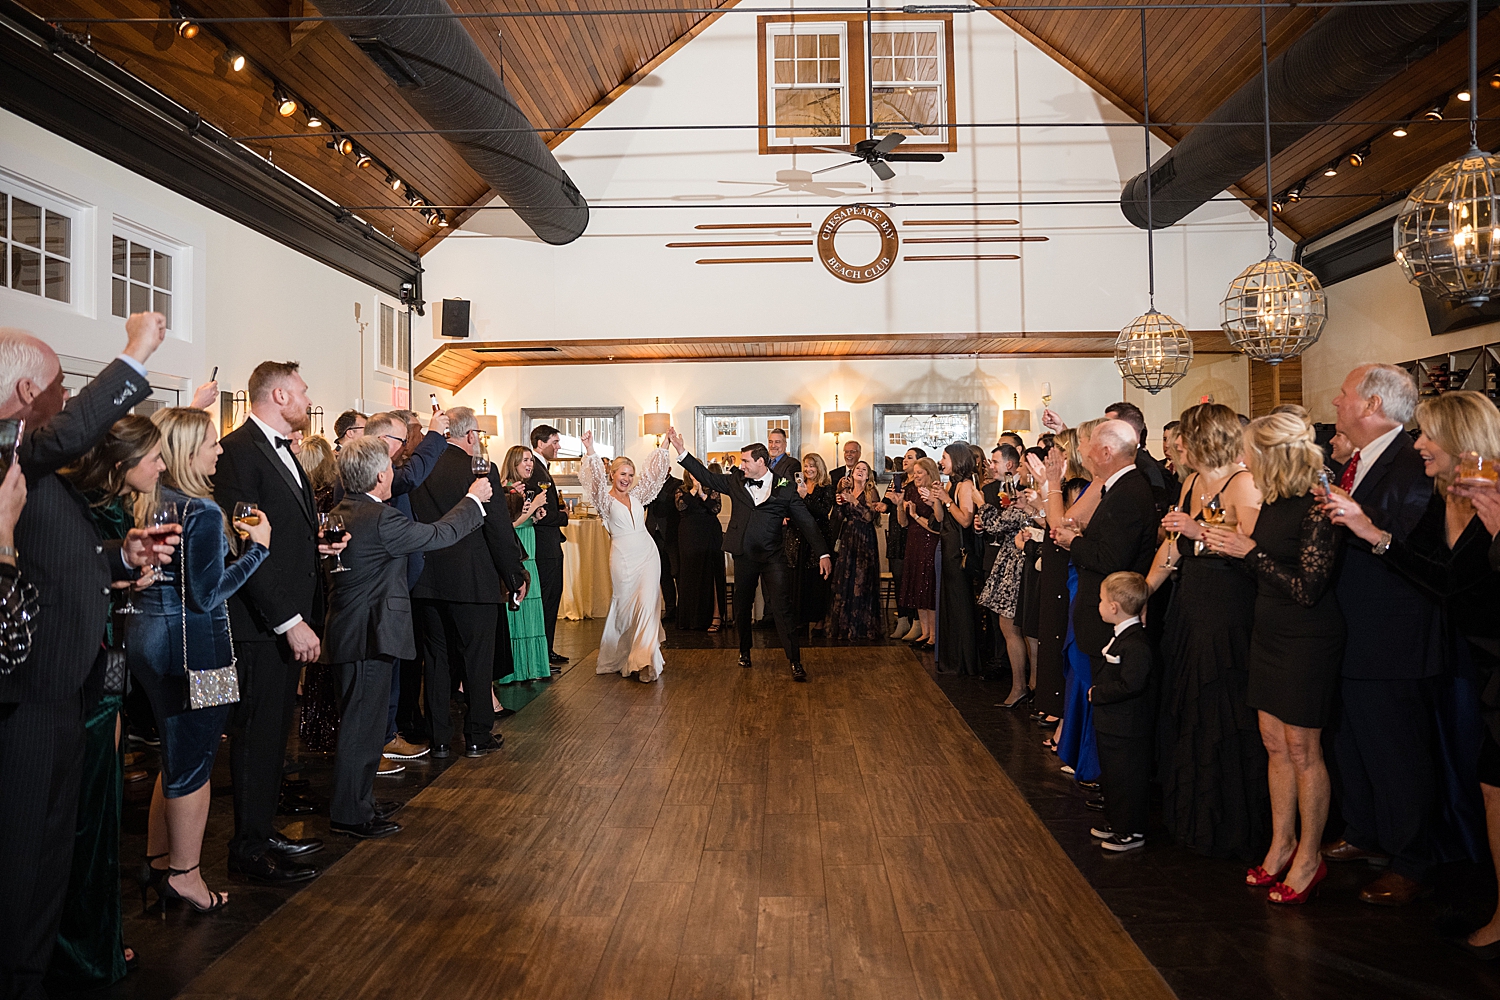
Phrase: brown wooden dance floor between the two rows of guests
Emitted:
{"points": [[724, 834]]}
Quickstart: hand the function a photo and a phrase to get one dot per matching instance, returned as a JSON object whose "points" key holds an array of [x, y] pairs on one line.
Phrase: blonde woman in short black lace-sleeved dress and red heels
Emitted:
{"points": [[1295, 648]]}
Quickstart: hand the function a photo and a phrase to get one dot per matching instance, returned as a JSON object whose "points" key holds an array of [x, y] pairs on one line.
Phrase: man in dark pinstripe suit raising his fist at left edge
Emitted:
{"points": [[44, 701]]}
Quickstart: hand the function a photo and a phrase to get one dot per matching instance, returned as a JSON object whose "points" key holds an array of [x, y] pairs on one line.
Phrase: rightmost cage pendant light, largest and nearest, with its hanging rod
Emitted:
{"points": [[1448, 233]]}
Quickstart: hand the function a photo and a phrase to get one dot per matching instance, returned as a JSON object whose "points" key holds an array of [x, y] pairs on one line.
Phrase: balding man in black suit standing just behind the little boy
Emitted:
{"points": [[1120, 537]]}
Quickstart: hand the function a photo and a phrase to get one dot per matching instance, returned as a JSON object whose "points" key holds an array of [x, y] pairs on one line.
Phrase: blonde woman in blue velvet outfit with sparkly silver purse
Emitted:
{"points": [[188, 614]]}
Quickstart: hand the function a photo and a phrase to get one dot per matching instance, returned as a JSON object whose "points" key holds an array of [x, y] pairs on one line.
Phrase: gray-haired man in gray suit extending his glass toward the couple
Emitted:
{"points": [[368, 624]]}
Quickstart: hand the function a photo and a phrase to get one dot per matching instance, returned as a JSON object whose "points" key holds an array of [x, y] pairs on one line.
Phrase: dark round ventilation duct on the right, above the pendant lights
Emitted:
{"points": [[1343, 58]]}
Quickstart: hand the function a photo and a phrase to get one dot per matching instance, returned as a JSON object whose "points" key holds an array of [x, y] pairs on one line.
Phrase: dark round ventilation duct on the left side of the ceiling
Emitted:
{"points": [[446, 79]]}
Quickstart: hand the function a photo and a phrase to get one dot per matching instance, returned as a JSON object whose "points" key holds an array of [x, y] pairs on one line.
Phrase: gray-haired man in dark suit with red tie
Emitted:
{"points": [[1384, 744]]}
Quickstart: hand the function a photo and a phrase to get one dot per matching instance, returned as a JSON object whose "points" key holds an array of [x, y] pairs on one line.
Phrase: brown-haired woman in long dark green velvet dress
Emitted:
{"points": [[91, 953]]}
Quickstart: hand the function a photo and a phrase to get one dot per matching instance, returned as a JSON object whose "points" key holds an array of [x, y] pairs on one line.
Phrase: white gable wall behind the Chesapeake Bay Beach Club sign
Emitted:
{"points": [[620, 281]]}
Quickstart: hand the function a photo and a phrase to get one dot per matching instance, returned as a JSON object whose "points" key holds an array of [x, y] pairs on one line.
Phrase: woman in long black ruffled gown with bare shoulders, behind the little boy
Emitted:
{"points": [[1213, 762]]}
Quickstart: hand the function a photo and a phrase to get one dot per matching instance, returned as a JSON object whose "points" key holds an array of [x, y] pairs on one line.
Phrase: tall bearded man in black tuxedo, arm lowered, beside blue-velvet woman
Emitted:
{"points": [[272, 615]]}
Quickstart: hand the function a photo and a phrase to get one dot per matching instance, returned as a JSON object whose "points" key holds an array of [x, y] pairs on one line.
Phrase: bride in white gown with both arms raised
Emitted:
{"points": [[634, 633]]}
